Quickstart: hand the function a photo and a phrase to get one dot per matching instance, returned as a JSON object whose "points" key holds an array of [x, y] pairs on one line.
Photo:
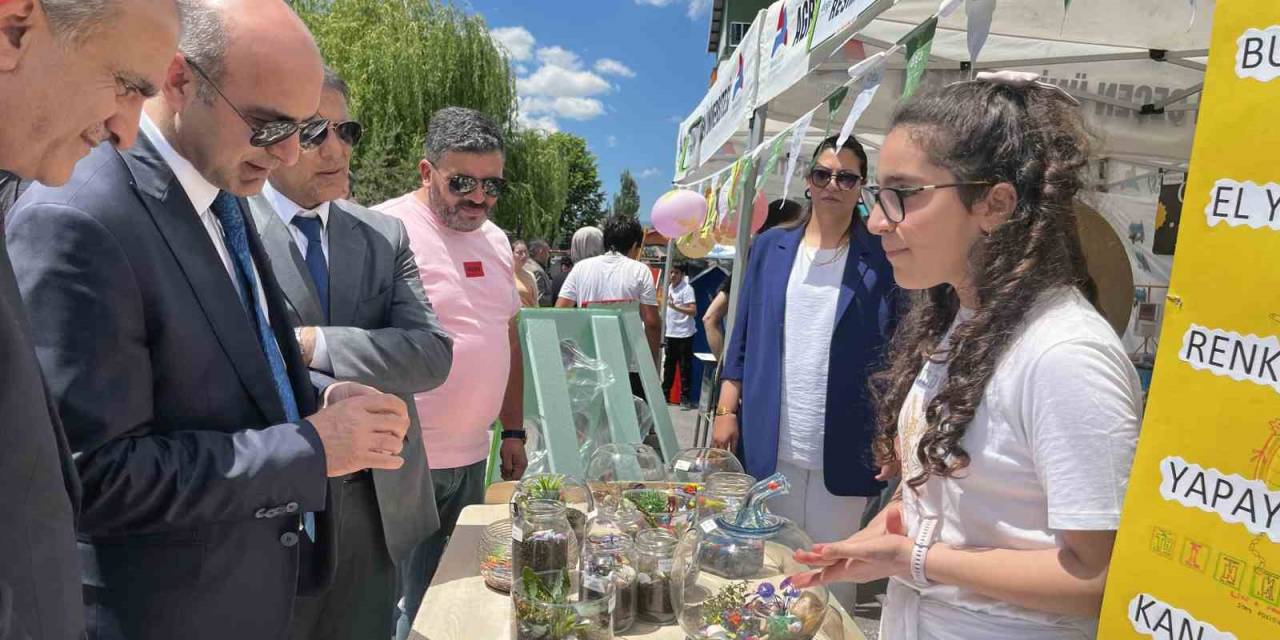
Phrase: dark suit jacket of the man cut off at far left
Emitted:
{"points": [[40, 596]]}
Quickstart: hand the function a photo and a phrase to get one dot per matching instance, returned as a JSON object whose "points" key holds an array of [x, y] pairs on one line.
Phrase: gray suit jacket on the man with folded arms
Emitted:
{"points": [[382, 332]]}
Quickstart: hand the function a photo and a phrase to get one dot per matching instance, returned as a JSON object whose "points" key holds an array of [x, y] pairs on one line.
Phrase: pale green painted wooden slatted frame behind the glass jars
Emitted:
{"points": [[612, 335]]}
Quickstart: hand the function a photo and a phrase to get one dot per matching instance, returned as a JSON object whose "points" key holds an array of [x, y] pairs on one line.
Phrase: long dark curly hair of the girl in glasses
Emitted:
{"points": [[1034, 139]]}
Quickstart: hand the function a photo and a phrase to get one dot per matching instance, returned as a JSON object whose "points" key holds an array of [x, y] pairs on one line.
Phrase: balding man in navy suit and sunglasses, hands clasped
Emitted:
{"points": [[166, 344]]}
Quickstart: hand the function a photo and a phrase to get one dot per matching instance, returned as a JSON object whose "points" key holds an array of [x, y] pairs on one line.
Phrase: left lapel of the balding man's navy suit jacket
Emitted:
{"points": [[179, 222]]}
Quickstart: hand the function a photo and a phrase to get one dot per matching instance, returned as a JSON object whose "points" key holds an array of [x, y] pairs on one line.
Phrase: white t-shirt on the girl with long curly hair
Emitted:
{"points": [[1050, 447]]}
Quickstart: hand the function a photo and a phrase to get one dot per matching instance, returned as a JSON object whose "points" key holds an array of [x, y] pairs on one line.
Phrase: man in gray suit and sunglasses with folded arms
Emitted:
{"points": [[362, 314]]}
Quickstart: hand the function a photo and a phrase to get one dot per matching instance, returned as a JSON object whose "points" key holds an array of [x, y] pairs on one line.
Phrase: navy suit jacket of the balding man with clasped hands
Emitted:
{"points": [[194, 482]]}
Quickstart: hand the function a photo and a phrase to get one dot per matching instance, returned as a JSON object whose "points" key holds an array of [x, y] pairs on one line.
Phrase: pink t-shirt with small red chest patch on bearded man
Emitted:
{"points": [[472, 284]]}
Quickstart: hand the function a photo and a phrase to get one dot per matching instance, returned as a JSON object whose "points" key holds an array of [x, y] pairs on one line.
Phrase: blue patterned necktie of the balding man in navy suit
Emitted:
{"points": [[228, 212]]}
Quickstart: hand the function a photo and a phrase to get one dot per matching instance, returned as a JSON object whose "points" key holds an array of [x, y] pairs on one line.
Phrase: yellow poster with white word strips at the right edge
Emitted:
{"points": [[1199, 551]]}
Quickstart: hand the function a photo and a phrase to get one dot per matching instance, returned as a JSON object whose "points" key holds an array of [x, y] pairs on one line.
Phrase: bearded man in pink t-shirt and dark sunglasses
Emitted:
{"points": [[467, 268]]}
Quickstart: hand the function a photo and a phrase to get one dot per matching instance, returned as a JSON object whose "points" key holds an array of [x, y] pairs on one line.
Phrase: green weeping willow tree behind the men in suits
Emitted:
{"points": [[410, 58]]}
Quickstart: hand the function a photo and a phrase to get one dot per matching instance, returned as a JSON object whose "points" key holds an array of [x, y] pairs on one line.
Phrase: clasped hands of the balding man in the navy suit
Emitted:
{"points": [[360, 429]]}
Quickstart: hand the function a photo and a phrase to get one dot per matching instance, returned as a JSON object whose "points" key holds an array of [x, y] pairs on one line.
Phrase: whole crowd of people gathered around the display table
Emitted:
{"points": [[239, 405]]}
